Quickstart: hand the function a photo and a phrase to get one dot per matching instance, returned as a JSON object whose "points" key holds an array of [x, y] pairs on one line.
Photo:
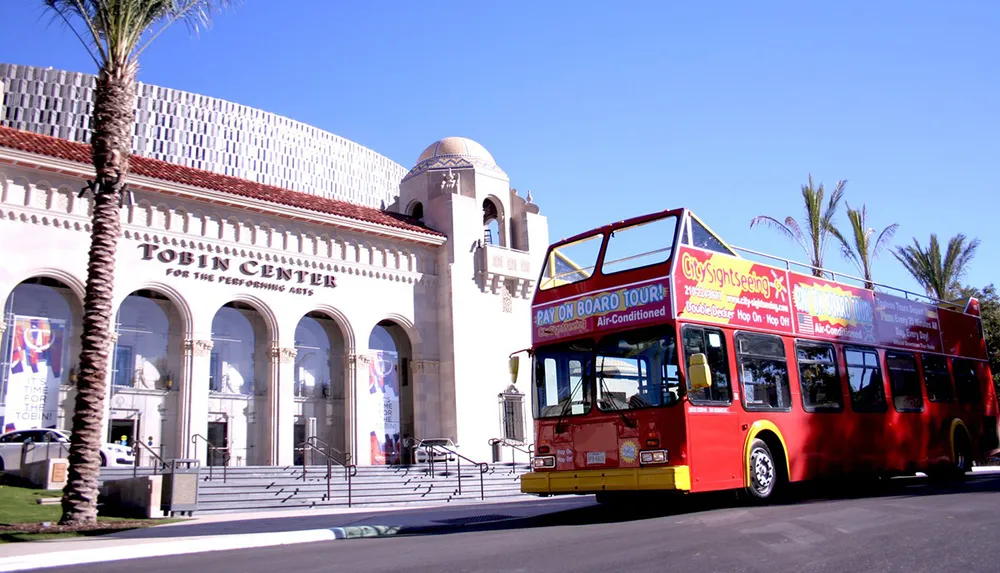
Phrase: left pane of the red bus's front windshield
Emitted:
{"points": [[559, 386]]}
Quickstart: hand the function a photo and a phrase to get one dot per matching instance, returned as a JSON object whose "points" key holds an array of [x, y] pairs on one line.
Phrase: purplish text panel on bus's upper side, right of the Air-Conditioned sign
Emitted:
{"points": [[907, 324]]}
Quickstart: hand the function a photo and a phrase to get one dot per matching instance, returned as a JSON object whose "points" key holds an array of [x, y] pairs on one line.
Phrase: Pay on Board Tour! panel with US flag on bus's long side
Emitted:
{"points": [[833, 311]]}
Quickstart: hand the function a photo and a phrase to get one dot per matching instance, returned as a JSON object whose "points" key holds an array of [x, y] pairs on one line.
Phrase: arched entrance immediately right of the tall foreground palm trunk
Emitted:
{"points": [[145, 371]]}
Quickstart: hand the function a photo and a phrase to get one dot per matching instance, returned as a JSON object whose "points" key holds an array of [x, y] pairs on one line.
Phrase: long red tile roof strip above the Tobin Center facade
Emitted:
{"points": [[164, 171]]}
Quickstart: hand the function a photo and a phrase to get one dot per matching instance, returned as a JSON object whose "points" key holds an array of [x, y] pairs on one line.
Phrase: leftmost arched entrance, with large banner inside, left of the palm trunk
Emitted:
{"points": [[41, 347]]}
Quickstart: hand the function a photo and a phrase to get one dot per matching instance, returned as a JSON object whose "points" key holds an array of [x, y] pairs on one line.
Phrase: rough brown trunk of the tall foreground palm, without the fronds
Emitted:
{"points": [[111, 144]]}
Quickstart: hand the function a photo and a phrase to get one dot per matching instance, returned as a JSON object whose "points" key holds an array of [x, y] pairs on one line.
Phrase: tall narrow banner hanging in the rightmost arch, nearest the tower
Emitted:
{"points": [[382, 405]]}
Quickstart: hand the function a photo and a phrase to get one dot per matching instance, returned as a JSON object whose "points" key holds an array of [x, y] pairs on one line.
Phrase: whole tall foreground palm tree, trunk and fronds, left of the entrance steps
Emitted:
{"points": [[115, 33]]}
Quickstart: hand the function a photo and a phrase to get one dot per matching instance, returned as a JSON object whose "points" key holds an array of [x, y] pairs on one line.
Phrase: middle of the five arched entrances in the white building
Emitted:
{"points": [[237, 385]]}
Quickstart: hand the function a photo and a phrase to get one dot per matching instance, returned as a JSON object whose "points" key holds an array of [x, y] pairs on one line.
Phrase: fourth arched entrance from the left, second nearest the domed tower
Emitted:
{"points": [[319, 383]]}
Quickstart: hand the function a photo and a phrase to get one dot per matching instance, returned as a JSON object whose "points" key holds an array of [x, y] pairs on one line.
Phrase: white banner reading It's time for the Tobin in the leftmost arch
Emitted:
{"points": [[35, 369]]}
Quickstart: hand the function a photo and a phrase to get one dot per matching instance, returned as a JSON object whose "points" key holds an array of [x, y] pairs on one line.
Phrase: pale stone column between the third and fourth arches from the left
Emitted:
{"points": [[281, 407]]}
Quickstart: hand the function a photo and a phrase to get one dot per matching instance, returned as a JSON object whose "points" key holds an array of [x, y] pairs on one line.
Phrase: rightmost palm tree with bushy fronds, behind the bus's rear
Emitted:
{"points": [[938, 275]]}
